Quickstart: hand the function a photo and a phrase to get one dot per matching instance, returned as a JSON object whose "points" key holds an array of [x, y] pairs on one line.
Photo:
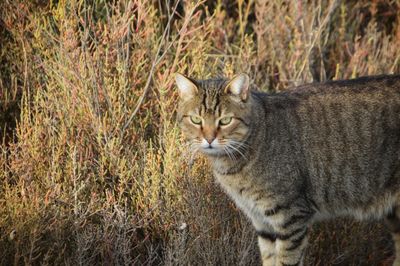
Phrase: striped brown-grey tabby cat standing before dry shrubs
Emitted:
{"points": [[288, 159]]}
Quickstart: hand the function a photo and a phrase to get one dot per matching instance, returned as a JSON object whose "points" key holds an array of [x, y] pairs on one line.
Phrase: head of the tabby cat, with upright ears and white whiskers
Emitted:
{"points": [[214, 114]]}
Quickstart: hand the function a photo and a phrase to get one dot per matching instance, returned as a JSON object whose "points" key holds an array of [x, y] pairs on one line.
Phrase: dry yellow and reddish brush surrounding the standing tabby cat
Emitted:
{"points": [[92, 165]]}
